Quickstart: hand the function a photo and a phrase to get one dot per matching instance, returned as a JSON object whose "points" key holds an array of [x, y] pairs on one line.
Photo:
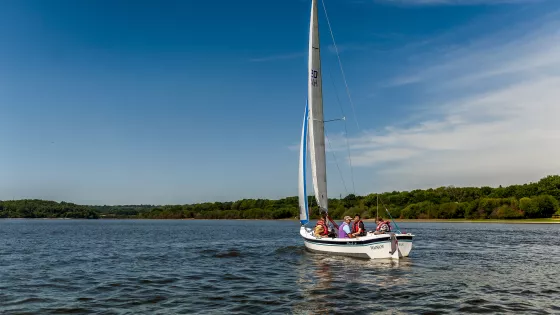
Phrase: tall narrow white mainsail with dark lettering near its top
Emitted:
{"points": [[316, 120]]}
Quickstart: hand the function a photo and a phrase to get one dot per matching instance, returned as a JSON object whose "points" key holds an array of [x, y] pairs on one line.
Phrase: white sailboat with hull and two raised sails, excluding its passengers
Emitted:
{"points": [[393, 245]]}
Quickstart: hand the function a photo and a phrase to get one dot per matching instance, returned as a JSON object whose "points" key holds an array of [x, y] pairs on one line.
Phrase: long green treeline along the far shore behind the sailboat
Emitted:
{"points": [[533, 200]]}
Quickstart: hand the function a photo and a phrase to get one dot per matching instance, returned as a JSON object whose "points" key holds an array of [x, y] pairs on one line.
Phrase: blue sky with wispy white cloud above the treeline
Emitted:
{"points": [[173, 102]]}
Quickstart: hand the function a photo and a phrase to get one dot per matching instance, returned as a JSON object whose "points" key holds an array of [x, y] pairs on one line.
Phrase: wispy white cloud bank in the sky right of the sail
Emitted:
{"points": [[504, 129]]}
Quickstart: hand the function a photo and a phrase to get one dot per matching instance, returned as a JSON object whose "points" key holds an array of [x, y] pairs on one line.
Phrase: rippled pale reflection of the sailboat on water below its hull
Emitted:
{"points": [[330, 284]]}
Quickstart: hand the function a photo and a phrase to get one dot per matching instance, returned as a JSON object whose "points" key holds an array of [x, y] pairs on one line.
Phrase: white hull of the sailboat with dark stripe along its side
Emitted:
{"points": [[370, 246]]}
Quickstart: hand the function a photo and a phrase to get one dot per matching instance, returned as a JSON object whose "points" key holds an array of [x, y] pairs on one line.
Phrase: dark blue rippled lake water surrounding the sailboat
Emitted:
{"points": [[256, 267]]}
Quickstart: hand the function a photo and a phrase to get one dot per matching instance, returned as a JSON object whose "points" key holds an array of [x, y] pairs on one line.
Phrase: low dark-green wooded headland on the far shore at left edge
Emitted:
{"points": [[35, 208]]}
